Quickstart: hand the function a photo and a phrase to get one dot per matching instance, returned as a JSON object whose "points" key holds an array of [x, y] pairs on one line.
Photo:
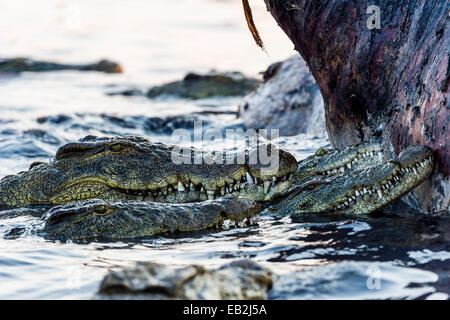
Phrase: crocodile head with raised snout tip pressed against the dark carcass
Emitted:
{"points": [[362, 191]]}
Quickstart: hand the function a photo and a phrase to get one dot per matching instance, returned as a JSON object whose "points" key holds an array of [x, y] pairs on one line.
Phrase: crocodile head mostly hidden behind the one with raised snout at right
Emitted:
{"points": [[329, 162]]}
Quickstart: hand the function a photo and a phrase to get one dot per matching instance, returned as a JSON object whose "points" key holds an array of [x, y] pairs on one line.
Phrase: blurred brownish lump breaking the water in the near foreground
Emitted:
{"points": [[243, 279]]}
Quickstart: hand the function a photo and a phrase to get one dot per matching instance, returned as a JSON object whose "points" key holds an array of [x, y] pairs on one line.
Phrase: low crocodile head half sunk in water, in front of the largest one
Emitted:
{"points": [[118, 220]]}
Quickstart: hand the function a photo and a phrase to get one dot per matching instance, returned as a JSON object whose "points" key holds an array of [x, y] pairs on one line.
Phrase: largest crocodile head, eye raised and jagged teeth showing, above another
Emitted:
{"points": [[132, 168]]}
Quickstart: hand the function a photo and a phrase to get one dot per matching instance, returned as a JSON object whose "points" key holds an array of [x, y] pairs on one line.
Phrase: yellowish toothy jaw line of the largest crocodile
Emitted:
{"points": [[183, 191]]}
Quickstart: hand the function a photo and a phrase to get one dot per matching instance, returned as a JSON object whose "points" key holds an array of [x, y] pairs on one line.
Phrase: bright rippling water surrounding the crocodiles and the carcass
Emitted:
{"points": [[401, 257]]}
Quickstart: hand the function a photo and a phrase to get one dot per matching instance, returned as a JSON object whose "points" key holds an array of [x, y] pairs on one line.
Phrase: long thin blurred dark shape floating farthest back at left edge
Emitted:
{"points": [[17, 65]]}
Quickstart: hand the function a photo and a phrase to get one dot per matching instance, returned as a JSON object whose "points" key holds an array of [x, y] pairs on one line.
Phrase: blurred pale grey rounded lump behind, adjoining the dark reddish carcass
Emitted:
{"points": [[289, 101]]}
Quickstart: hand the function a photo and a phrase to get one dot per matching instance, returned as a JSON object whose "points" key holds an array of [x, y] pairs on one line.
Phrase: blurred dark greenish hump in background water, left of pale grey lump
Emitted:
{"points": [[197, 86]]}
